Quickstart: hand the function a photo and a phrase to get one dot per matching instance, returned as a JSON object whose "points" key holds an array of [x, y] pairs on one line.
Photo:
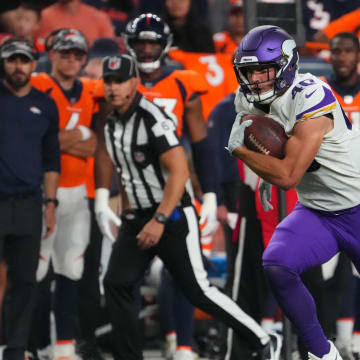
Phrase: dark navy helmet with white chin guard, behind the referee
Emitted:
{"points": [[148, 27]]}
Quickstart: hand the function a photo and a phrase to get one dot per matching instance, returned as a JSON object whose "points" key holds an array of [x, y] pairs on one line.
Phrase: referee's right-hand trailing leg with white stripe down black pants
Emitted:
{"points": [[180, 251]]}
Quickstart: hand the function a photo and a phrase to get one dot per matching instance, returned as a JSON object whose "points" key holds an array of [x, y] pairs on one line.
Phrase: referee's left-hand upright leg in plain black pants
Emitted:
{"points": [[126, 269]]}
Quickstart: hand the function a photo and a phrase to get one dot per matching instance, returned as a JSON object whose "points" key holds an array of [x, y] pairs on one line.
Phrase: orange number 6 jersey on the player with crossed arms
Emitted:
{"points": [[71, 114]]}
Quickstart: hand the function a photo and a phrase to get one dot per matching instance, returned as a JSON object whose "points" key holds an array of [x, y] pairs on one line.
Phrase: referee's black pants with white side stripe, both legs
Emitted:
{"points": [[179, 248]]}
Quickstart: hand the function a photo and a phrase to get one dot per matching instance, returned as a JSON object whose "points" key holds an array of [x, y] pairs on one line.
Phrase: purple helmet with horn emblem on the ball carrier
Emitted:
{"points": [[266, 46]]}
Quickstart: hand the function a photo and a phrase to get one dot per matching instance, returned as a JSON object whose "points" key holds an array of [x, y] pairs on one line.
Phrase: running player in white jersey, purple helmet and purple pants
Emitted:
{"points": [[321, 161]]}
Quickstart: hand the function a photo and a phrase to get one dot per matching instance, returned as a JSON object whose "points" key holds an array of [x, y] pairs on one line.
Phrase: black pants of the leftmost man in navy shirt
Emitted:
{"points": [[20, 234]]}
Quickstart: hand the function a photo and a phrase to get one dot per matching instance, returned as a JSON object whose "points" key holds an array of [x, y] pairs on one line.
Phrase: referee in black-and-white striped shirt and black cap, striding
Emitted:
{"points": [[158, 217]]}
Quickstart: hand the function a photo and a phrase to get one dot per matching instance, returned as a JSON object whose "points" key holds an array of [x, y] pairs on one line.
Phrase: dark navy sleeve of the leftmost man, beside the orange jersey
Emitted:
{"points": [[50, 145]]}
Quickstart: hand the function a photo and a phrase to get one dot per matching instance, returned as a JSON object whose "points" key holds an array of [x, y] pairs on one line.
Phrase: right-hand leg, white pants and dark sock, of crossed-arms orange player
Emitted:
{"points": [[68, 260]]}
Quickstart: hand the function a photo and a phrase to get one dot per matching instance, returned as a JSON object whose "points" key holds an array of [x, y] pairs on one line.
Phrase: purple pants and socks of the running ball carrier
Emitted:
{"points": [[306, 238]]}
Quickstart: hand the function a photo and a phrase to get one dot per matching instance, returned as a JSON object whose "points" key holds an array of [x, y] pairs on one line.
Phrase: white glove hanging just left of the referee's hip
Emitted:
{"points": [[104, 214]]}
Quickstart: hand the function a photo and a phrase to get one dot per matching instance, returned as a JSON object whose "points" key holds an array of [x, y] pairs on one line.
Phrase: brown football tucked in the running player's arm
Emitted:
{"points": [[265, 136]]}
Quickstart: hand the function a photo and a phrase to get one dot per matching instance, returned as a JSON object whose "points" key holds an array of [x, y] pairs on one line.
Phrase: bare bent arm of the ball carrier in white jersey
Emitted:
{"points": [[300, 151]]}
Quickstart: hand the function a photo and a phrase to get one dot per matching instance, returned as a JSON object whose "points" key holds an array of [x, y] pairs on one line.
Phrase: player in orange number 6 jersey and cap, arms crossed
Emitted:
{"points": [[77, 108]]}
